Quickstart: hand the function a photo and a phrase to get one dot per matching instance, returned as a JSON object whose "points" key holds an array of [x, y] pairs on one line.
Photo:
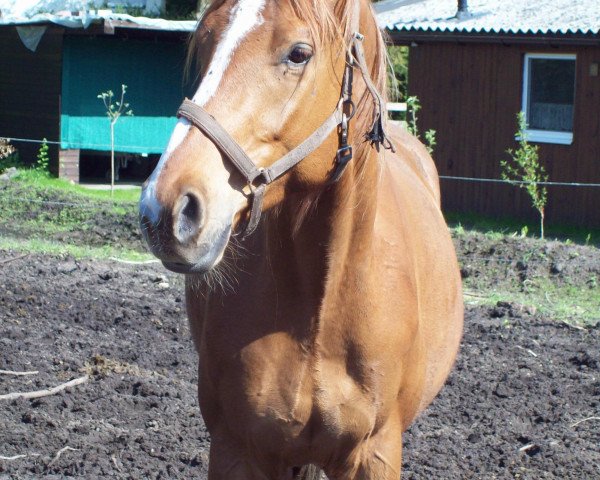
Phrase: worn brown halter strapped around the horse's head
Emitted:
{"points": [[257, 177]]}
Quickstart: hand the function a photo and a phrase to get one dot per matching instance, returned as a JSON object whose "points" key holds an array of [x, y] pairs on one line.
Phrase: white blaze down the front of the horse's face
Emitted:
{"points": [[245, 16]]}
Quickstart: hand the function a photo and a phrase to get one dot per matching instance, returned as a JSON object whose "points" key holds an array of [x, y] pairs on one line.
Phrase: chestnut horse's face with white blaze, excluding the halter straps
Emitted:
{"points": [[270, 85]]}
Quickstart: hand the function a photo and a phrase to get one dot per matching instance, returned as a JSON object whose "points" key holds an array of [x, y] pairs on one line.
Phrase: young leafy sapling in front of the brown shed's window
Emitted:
{"points": [[525, 170]]}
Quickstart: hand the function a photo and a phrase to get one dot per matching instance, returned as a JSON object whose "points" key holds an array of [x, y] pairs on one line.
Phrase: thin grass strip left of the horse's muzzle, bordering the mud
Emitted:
{"points": [[48, 247]]}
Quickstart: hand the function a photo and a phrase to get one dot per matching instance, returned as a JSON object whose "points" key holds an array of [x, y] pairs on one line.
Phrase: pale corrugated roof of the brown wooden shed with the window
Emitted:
{"points": [[492, 16]]}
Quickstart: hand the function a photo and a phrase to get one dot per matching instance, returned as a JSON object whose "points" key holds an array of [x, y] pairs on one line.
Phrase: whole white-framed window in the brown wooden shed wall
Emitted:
{"points": [[548, 97]]}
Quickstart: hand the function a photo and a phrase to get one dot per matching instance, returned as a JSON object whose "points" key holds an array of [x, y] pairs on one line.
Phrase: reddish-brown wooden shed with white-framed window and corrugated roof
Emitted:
{"points": [[474, 67]]}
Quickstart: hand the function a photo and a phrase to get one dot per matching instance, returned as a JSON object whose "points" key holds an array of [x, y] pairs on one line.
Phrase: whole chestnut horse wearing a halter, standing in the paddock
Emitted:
{"points": [[322, 287]]}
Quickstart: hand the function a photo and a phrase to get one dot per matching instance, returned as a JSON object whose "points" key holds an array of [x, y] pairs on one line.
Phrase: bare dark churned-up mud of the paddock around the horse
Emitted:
{"points": [[522, 402]]}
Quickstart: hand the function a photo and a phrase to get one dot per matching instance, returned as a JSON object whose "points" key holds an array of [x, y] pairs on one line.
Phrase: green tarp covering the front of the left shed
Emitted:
{"points": [[152, 71]]}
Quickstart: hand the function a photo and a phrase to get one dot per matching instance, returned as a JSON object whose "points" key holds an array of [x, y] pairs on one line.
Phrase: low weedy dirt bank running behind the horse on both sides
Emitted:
{"points": [[487, 261]]}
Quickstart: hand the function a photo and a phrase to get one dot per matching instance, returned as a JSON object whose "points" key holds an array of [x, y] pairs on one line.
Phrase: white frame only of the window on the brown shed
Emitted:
{"points": [[546, 136]]}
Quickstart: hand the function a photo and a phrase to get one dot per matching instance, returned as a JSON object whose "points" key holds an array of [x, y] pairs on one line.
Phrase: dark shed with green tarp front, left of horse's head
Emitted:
{"points": [[52, 69]]}
